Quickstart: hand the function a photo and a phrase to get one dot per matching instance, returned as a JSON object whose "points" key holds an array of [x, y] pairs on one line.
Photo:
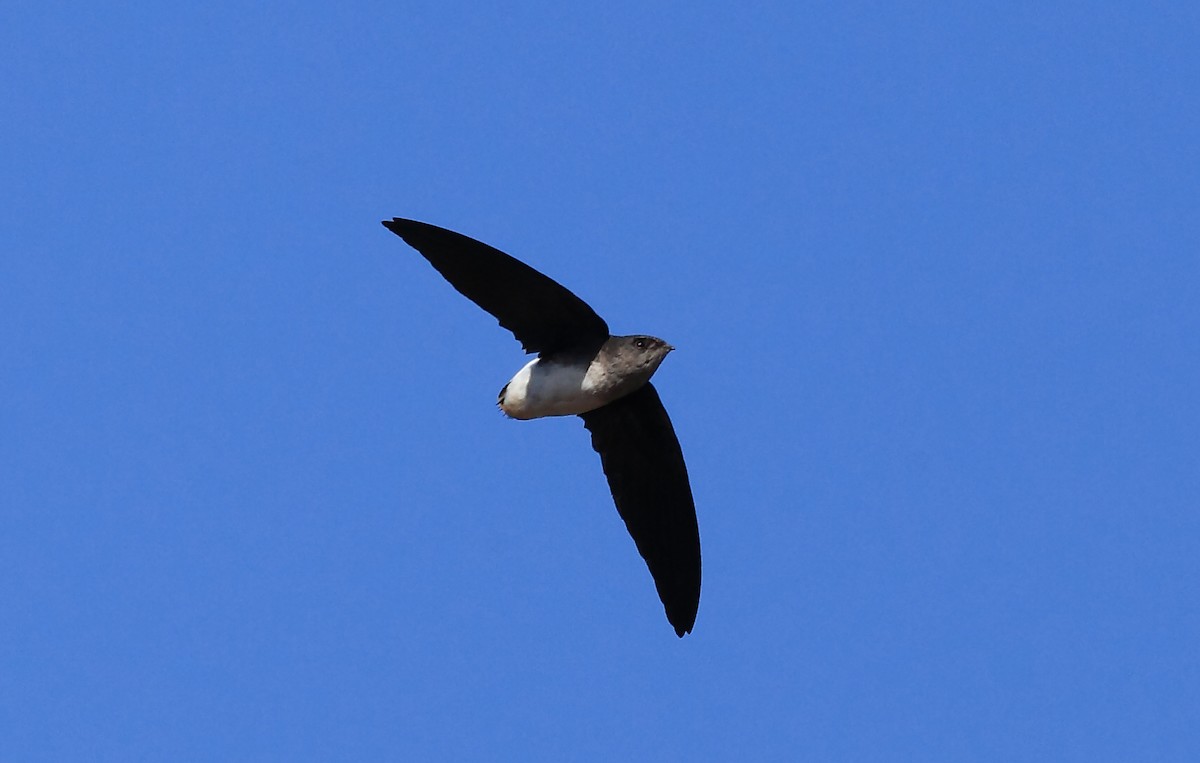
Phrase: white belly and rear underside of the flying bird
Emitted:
{"points": [[549, 389]]}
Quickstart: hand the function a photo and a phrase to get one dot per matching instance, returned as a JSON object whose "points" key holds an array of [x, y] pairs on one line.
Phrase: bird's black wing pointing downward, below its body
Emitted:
{"points": [[645, 467]]}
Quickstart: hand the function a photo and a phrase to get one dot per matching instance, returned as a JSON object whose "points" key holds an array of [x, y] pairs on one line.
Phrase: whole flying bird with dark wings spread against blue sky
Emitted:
{"points": [[583, 370]]}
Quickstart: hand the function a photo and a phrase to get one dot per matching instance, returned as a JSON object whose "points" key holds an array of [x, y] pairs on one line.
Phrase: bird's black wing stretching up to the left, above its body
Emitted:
{"points": [[542, 314]]}
